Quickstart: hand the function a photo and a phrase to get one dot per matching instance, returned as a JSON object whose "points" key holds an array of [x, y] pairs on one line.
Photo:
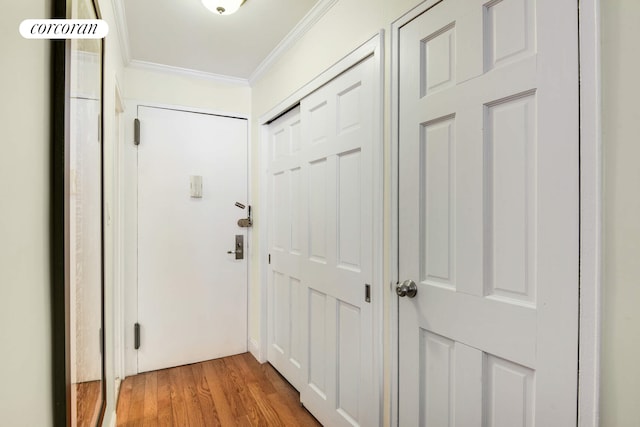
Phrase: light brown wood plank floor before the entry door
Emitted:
{"points": [[233, 391]]}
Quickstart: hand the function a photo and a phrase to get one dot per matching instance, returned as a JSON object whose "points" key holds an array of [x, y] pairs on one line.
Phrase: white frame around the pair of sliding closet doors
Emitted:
{"points": [[374, 48]]}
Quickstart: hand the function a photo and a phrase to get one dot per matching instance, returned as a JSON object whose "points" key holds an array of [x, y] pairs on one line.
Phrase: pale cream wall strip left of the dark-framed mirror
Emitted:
{"points": [[25, 315]]}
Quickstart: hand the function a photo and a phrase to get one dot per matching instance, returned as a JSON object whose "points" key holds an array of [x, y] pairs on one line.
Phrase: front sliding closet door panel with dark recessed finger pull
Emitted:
{"points": [[337, 123]]}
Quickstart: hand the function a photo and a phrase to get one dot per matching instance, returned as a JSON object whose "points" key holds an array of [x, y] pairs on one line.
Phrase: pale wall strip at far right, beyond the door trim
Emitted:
{"points": [[620, 375]]}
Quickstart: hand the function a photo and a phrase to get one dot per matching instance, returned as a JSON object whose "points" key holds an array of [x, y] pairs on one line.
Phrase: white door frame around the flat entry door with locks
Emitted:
{"points": [[130, 219]]}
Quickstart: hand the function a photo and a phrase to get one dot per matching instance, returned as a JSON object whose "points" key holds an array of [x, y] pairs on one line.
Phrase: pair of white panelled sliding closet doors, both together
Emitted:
{"points": [[321, 194]]}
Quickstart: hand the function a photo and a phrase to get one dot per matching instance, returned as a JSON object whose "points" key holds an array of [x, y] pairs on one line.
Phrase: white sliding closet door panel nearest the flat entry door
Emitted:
{"points": [[285, 289]]}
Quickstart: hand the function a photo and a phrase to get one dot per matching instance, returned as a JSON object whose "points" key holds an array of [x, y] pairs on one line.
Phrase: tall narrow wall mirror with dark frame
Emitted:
{"points": [[77, 189]]}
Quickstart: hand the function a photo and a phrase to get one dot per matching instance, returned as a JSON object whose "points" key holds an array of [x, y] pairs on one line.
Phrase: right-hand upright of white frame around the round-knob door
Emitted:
{"points": [[590, 214]]}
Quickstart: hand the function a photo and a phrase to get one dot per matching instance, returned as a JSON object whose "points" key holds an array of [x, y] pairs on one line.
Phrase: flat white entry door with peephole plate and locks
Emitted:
{"points": [[192, 294]]}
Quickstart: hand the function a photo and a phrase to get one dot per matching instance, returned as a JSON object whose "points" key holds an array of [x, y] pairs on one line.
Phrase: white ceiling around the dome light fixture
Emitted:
{"points": [[183, 34]]}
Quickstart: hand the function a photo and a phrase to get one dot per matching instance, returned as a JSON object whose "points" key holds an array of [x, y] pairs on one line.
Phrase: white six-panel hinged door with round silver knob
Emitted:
{"points": [[488, 214]]}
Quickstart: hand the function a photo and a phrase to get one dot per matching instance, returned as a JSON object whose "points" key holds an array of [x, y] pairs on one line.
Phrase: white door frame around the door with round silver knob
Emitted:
{"points": [[590, 208]]}
